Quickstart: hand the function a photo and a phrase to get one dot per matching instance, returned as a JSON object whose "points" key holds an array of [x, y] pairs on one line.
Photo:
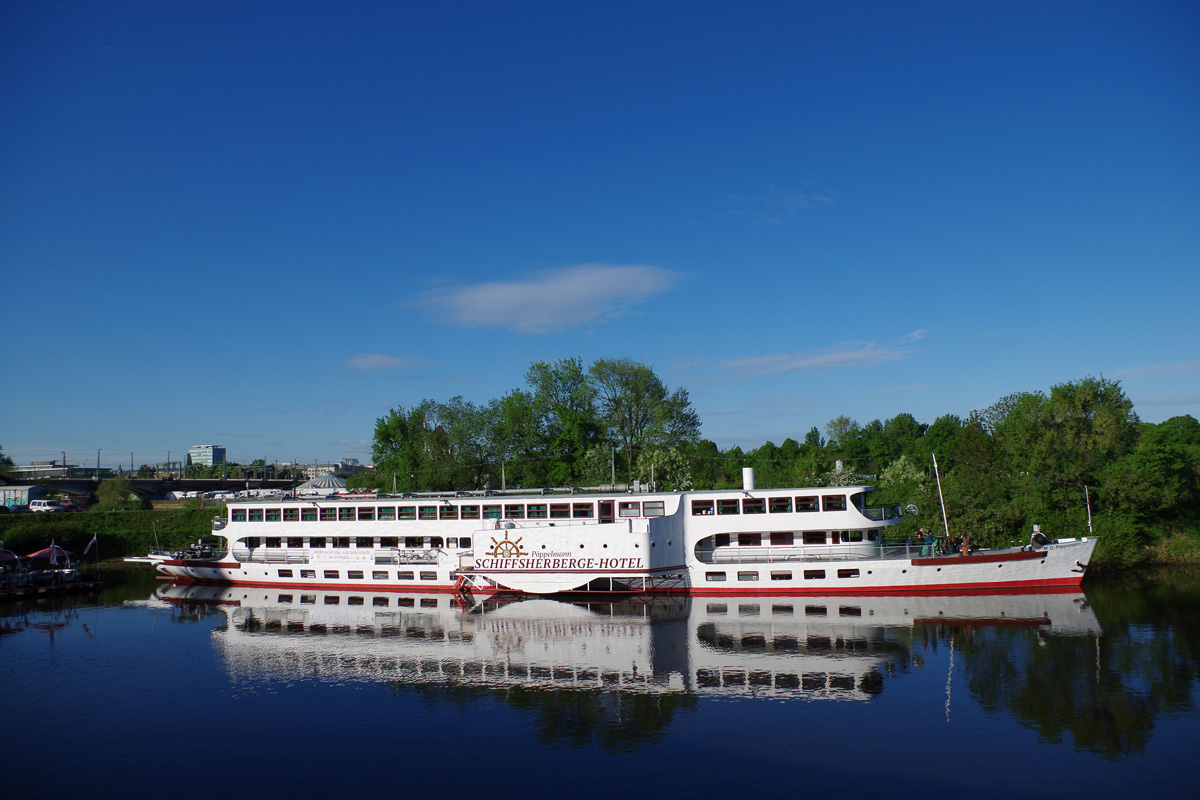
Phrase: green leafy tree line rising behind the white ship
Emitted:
{"points": [[1076, 460]]}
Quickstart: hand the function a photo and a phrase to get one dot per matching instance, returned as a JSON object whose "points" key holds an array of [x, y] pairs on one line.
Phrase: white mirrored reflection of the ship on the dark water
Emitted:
{"points": [[829, 648]]}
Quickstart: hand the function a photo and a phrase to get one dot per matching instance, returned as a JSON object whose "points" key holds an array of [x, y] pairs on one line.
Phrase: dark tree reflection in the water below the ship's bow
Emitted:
{"points": [[1107, 693]]}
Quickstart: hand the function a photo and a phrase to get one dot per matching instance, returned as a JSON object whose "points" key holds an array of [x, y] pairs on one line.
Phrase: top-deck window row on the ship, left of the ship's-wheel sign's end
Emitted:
{"points": [[608, 510]]}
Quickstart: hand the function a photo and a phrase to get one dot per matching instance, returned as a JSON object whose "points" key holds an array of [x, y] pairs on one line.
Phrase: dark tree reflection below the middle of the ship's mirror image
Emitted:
{"points": [[574, 718]]}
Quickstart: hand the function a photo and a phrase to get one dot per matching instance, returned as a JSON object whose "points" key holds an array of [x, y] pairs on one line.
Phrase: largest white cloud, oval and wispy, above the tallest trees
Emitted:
{"points": [[554, 300]]}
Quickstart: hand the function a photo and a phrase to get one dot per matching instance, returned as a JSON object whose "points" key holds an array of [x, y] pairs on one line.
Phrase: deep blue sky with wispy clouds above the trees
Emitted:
{"points": [[263, 225]]}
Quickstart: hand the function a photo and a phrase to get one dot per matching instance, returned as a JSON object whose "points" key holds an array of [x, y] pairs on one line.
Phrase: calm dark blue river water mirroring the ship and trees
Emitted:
{"points": [[153, 690]]}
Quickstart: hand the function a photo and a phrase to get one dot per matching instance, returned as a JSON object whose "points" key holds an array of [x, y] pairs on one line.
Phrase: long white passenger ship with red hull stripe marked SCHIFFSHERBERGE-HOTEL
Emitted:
{"points": [[746, 542]]}
